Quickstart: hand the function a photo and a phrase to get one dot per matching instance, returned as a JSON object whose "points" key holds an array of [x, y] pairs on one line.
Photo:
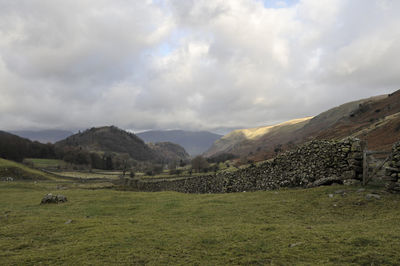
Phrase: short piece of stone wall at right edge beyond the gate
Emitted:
{"points": [[393, 171]]}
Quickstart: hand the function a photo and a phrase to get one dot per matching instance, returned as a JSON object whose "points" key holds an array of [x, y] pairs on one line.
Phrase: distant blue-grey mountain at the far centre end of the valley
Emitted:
{"points": [[194, 142]]}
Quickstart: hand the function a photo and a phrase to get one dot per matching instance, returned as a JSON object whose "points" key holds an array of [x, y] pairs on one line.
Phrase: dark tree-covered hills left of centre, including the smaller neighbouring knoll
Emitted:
{"points": [[113, 139]]}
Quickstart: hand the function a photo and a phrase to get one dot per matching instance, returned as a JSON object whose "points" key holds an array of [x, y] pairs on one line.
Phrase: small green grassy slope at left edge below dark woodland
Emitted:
{"points": [[20, 171]]}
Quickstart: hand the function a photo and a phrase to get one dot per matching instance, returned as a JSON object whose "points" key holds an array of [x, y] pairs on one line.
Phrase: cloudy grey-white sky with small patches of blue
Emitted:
{"points": [[190, 64]]}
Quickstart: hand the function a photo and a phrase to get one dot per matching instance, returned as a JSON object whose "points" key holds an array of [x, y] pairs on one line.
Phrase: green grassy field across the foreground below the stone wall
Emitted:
{"points": [[284, 227]]}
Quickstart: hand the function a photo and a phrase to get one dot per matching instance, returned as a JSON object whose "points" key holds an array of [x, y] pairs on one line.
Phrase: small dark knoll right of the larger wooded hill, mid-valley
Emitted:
{"points": [[169, 151]]}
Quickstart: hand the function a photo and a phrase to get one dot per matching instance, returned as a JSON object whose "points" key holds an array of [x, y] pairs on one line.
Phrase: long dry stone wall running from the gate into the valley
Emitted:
{"points": [[312, 164]]}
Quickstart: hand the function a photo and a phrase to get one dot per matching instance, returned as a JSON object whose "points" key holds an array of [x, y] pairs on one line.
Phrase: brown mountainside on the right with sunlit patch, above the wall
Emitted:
{"points": [[375, 119]]}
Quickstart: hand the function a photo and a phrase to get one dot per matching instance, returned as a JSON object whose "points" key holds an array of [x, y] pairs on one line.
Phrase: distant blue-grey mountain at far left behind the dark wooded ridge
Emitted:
{"points": [[43, 136]]}
